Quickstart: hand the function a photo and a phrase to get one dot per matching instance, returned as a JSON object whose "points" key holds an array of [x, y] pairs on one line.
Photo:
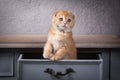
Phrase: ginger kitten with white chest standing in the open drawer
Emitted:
{"points": [[60, 44]]}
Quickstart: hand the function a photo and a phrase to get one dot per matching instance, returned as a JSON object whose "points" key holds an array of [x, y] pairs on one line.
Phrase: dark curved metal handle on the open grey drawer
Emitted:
{"points": [[59, 74]]}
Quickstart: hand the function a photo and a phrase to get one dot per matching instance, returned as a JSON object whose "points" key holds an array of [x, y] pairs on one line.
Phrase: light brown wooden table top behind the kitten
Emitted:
{"points": [[38, 41]]}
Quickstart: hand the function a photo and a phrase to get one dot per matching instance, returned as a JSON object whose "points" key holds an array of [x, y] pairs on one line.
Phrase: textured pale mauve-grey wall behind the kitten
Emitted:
{"points": [[34, 16]]}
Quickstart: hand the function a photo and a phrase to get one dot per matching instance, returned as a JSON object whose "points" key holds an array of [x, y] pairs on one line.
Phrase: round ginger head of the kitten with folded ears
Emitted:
{"points": [[63, 20]]}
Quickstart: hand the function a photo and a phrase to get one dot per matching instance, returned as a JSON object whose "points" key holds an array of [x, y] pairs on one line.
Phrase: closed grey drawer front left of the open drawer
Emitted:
{"points": [[6, 64]]}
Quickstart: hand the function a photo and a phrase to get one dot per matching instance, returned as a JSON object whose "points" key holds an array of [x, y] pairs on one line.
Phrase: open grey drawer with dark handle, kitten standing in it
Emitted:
{"points": [[87, 67]]}
